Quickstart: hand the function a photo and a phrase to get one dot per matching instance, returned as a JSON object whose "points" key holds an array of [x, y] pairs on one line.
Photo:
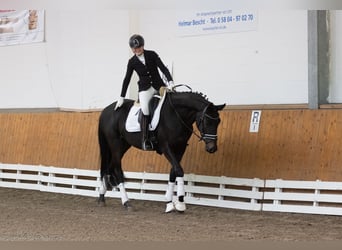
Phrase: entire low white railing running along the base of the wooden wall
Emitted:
{"points": [[314, 197]]}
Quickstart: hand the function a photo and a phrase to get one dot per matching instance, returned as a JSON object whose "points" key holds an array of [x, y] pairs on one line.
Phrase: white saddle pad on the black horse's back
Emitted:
{"points": [[132, 123]]}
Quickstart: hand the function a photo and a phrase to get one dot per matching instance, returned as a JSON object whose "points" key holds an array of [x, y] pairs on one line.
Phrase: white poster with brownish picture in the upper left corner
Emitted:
{"points": [[21, 27]]}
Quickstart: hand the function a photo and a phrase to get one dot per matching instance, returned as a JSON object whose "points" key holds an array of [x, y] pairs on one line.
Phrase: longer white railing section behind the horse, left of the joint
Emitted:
{"points": [[200, 190]]}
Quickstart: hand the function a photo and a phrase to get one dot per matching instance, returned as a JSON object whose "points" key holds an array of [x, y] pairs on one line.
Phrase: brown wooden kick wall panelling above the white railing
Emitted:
{"points": [[298, 144]]}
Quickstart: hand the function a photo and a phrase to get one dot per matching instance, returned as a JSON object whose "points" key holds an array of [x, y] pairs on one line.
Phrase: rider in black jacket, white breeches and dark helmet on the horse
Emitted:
{"points": [[146, 64]]}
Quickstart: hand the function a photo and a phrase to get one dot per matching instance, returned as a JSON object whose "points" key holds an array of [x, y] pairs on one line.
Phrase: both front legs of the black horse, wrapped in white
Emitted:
{"points": [[176, 177]]}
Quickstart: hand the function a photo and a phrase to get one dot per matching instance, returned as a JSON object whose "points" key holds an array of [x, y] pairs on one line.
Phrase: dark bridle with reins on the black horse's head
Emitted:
{"points": [[202, 136]]}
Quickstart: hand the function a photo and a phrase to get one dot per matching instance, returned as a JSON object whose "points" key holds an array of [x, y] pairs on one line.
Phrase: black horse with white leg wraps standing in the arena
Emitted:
{"points": [[178, 113]]}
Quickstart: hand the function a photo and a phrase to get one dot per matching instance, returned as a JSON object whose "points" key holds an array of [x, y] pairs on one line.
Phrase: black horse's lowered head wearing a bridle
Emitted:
{"points": [[207, 122]]}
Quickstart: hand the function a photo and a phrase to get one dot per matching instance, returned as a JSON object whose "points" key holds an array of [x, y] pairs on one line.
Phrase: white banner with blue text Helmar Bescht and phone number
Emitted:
{"points": [[195, 23]]}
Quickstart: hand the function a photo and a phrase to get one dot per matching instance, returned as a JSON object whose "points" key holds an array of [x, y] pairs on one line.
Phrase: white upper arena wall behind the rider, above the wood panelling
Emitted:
{"points": [[82, 63]]}
